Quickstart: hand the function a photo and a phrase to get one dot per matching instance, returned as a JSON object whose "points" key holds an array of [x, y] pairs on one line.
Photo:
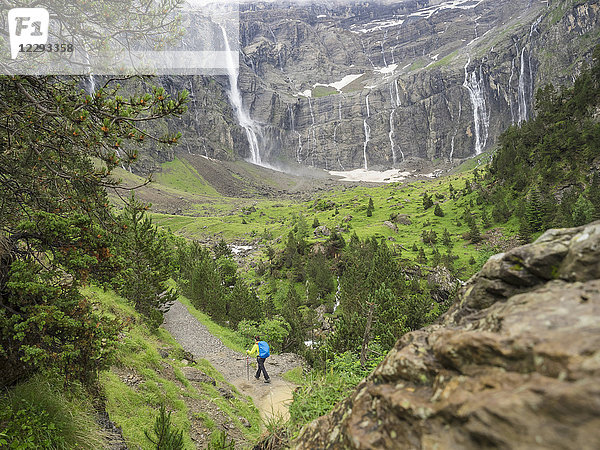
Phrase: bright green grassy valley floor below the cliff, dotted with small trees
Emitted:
{"points": [[272, 220]]}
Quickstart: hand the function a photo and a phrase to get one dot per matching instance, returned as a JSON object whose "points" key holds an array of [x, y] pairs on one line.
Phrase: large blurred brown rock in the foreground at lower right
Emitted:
{"points": [[514, 364]]}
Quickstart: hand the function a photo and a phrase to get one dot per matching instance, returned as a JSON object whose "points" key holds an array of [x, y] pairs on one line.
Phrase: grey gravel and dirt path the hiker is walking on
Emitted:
{"points": [[271, 399]]}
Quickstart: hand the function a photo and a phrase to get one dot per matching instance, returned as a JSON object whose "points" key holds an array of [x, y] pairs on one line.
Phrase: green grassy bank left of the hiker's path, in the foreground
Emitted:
{"points": [[134, 408]]}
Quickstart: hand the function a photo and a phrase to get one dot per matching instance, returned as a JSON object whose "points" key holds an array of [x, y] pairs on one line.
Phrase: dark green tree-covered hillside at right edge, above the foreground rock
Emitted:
{"points": [[543, 170]]}
